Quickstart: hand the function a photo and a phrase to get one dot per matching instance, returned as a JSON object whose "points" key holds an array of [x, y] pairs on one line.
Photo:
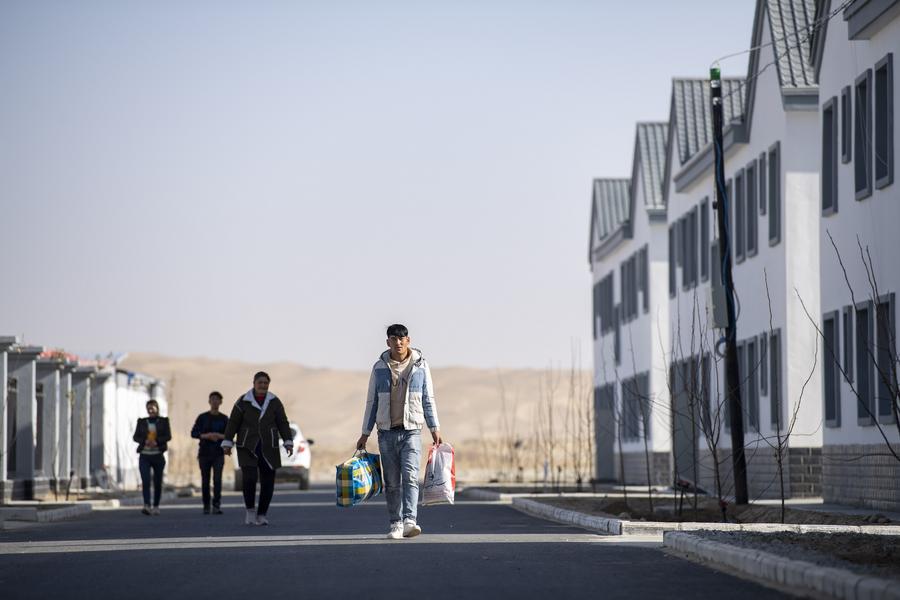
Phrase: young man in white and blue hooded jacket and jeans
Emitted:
{"points": [[399, 401]]}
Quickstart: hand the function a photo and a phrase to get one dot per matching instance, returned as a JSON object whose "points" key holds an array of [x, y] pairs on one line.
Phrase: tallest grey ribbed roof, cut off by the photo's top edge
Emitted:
{"points": [[791, 27]]}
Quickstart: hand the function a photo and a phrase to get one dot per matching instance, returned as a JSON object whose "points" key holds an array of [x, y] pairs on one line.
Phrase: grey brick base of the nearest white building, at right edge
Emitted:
{"points": [[864, 475]]}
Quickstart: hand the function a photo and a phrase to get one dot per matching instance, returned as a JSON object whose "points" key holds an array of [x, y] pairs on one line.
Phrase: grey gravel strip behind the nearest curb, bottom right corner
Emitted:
{"points": [[875, 555]]}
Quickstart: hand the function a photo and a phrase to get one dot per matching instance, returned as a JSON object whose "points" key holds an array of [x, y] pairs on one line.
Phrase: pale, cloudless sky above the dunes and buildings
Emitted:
{"points": [[273, 181]]}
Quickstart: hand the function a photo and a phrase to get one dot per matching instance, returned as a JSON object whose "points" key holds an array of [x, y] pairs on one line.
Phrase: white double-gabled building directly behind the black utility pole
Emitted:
{"points": [[772, 191]]}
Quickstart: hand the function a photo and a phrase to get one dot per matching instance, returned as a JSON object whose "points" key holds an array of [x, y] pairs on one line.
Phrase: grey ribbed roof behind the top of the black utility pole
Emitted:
{"points": [[693, 113]]}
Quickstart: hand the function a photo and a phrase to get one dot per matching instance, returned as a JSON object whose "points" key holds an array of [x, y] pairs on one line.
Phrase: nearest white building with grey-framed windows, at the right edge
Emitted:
{"points": [[860, 206]]}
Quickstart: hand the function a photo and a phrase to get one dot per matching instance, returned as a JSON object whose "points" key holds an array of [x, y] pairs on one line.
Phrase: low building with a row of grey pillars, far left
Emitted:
{"points": [[66, 423]]}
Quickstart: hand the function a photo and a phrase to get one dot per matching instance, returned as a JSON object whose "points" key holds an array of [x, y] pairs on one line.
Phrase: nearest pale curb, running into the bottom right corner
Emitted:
{"points": [[773, 569]]}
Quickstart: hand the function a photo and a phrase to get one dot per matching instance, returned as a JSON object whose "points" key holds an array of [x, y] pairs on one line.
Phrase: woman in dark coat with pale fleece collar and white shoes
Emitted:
{"points": [[258, 419]]}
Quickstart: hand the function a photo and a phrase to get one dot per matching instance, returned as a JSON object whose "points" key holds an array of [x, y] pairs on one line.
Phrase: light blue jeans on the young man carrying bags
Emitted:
{"points": [[400, 450]]}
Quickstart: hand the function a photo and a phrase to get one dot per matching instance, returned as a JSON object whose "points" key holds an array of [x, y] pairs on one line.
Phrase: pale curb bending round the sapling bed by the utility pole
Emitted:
{"points": [[622, 527]]}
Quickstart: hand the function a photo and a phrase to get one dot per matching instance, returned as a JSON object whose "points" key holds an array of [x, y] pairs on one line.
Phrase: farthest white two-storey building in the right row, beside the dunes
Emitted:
{"points": [[628, 256]]}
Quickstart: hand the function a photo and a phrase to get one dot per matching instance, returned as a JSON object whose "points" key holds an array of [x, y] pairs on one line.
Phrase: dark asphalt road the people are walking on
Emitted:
{"points": [[312, 549]]}
